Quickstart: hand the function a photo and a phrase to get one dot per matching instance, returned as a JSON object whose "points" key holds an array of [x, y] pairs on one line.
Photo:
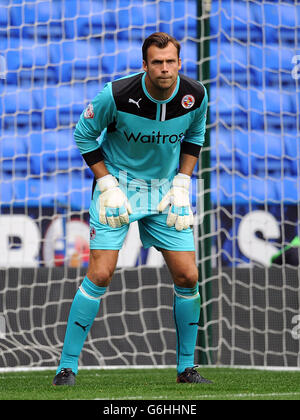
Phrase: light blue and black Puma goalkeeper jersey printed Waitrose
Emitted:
{"points": [[139, 135]]}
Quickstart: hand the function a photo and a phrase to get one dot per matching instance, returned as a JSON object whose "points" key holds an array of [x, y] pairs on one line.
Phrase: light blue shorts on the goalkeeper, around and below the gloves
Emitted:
{"points": [[152, 228]]}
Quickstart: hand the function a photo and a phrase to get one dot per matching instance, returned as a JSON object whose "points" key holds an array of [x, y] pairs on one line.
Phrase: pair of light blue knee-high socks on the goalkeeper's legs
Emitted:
{"points": [[85, 307]]}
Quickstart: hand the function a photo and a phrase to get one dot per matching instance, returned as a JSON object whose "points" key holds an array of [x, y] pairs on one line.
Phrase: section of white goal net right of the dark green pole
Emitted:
{"points": [[254, 126]]}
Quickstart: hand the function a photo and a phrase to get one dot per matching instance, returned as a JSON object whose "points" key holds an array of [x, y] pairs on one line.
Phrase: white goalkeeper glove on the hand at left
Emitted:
{"points": [[114, 207]]}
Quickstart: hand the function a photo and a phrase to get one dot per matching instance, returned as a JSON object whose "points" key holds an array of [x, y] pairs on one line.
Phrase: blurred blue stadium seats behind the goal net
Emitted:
{"points": [[48, 44]]}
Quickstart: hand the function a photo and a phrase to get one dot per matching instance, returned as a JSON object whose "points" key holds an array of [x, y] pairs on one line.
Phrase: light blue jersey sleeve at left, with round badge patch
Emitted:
{"points": [[100, 112]]}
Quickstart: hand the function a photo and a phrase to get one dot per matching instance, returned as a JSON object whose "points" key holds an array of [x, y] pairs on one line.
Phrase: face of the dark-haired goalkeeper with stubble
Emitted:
{"points": [[162, 67]]}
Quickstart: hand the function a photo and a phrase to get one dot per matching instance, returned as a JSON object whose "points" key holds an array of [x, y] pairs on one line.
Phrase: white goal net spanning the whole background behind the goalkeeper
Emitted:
{"points": [[54, 58]]}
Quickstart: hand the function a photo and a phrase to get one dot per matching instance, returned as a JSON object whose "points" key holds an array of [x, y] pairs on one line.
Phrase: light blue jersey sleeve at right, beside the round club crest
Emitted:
{"points": [[196, 132]]}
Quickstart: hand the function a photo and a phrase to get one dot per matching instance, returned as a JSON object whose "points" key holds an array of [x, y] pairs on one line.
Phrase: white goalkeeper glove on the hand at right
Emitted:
{"points": [[180, 212]]}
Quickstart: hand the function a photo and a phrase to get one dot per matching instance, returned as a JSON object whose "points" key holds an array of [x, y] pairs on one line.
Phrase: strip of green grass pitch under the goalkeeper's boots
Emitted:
{"points": [[153, 384]]}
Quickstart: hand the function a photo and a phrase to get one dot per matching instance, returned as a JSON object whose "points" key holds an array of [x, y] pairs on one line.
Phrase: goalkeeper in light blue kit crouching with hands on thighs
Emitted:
{"points": [[141, 136]]}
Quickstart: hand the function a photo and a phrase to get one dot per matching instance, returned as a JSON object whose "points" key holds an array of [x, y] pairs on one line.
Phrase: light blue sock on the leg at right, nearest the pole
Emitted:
{"points": [[186, 311]]}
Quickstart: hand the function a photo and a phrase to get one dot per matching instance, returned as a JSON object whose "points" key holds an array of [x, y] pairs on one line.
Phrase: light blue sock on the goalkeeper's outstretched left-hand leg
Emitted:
{"points": [[83, 311]]}
